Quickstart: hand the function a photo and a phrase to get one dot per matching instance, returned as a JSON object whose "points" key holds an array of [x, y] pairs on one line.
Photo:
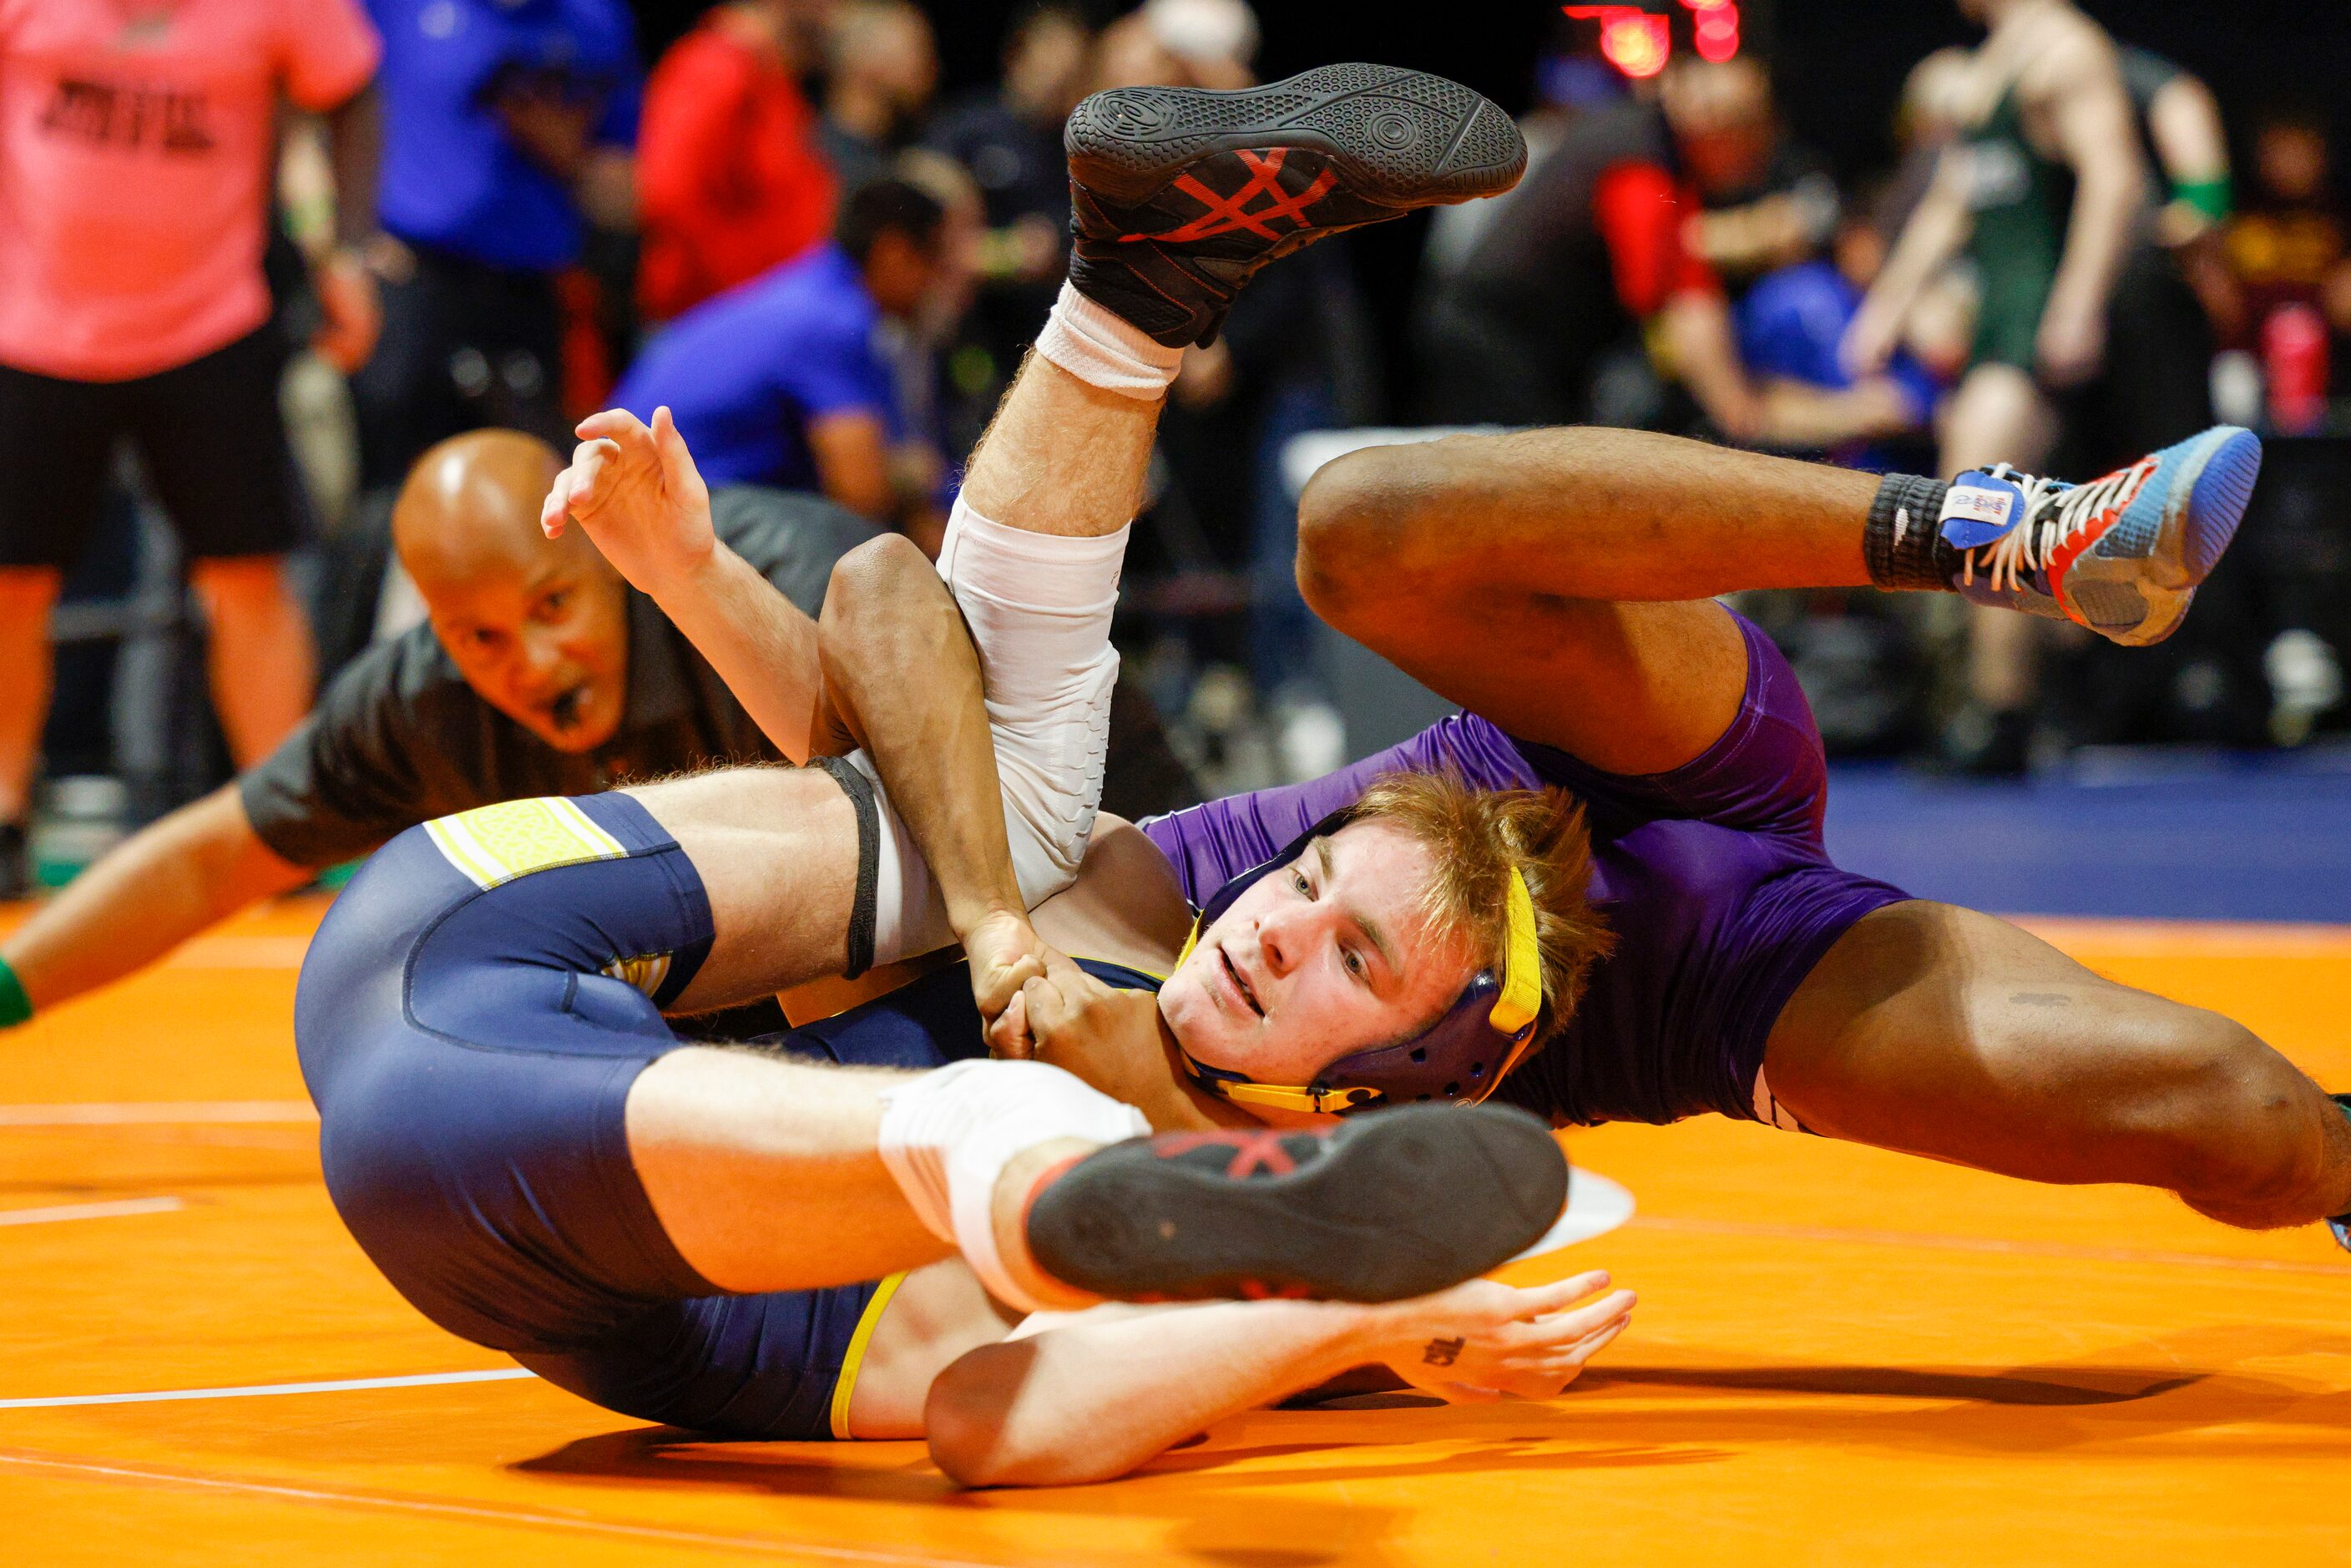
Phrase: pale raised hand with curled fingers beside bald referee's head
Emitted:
{"points": [[638, 495]]}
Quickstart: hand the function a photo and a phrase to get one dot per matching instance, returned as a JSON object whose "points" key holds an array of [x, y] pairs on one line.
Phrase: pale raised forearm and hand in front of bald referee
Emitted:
{"points": [[645, 507]]}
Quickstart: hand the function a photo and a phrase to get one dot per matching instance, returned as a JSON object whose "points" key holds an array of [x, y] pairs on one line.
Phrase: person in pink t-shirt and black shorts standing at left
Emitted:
{"points": [[138, 156]]}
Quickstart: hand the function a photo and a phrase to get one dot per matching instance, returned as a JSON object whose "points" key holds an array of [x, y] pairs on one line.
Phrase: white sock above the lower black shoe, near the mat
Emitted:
{"points": [[949, 1134]]}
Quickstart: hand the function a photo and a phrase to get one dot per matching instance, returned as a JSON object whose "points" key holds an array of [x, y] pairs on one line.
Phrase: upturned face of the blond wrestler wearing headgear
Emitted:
{"points": [[1318, 960]]}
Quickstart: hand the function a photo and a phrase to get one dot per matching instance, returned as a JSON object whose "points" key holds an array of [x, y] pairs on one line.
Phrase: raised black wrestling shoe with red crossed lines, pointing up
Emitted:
{"points": [[1184, 194]]}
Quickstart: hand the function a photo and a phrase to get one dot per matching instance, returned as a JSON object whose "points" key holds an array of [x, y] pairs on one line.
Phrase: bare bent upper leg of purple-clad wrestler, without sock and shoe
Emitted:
{"points": [[1558, 582]]}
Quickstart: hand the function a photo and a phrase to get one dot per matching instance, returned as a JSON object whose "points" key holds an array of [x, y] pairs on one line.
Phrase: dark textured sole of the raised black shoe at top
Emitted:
{"points": [[1395, 138]]}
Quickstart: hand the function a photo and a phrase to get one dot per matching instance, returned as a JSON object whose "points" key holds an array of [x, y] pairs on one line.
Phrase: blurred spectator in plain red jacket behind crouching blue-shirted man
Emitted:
{"points": [[730, 170]]}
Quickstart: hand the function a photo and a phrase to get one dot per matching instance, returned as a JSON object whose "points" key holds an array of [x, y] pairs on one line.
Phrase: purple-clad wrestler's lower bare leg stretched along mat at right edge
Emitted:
{"points": [[1955, 1036]]}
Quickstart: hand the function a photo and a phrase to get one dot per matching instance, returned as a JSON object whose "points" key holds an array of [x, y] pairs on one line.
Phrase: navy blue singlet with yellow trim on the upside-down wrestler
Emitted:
{"points": [[471, 1052]]}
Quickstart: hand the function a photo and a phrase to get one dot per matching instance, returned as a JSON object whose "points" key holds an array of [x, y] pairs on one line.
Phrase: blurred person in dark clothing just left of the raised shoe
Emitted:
{"points": [[1010, 140]]}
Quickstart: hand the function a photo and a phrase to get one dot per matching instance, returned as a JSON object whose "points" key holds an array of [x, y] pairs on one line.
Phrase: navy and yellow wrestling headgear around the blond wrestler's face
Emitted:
{"points": [[1463, 1057]]}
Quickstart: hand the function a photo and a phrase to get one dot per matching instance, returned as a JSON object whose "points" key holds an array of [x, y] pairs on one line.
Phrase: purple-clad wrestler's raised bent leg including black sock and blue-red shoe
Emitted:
{"points": [[1558, 579]]}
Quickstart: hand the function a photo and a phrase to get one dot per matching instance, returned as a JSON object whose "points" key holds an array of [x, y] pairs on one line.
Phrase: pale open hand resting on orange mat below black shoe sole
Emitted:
{"points": [[1487, 1341]]}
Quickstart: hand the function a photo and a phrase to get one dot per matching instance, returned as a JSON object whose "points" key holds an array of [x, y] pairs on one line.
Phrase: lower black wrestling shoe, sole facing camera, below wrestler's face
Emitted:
{"points": [[1384, 1207]]}
